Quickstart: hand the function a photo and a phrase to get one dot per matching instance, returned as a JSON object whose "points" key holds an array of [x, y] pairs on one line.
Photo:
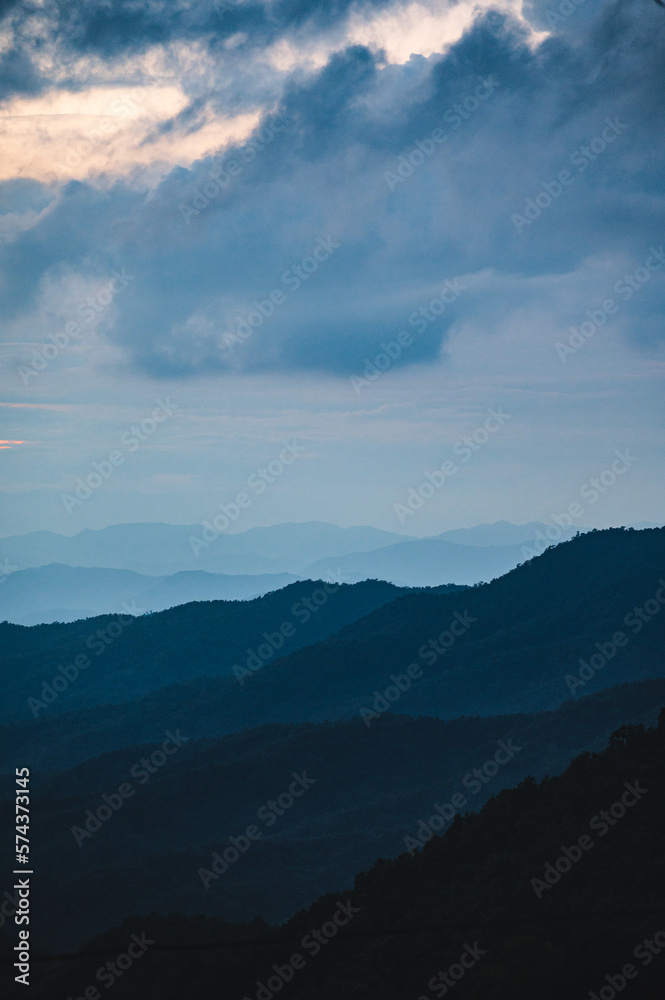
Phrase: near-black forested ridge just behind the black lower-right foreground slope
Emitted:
{"points": [[359, 794]]}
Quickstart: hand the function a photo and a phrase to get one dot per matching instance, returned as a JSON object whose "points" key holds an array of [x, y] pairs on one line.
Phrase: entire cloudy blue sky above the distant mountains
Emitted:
{"points": [[394, 243]]}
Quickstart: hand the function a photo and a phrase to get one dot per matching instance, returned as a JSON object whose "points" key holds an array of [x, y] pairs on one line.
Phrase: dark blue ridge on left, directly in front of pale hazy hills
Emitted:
{"points": [[116, 658]]}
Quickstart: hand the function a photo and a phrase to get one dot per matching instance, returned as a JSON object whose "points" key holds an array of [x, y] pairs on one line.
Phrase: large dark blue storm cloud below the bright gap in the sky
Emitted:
{"points": [[202, 260]]}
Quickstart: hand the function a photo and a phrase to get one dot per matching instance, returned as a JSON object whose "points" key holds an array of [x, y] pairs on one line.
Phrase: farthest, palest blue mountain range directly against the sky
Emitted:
{"points": [[312, 549]]}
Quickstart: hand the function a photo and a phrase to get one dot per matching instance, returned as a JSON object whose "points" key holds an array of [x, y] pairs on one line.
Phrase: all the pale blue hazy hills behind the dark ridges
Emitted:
{"points": [[51, 577]]}
